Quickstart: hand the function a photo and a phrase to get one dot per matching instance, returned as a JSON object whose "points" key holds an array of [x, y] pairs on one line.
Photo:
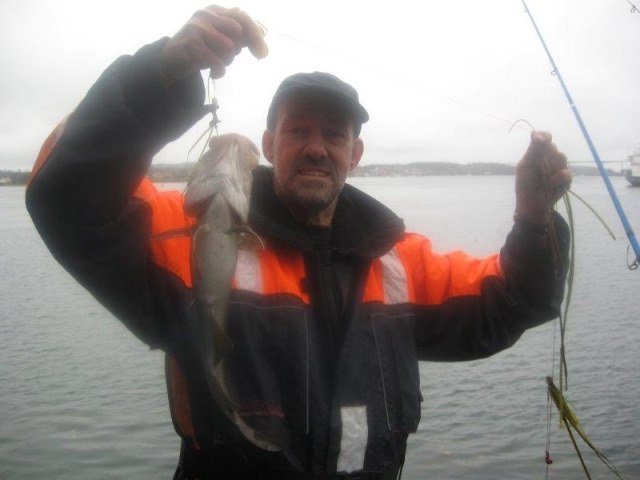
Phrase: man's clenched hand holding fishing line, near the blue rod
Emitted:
{"points": [[542, 177]]}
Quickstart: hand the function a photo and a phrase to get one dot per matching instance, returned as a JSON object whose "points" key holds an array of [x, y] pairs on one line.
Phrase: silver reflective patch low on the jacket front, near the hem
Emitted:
{"points": [[353, 443]]}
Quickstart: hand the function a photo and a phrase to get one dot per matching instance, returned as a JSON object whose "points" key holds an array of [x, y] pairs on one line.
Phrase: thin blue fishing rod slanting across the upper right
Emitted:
{"points": [[603, 172]]}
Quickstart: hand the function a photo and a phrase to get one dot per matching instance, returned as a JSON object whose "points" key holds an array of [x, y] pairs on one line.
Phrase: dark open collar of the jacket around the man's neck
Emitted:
{"points": [[361, 224]]}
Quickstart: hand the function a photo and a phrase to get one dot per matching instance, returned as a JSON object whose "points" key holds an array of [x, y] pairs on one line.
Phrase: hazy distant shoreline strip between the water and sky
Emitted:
{"points": [[178, 173]]}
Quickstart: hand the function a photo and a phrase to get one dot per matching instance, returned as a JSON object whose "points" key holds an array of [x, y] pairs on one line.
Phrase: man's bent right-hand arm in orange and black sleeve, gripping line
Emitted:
{"points": [[470, 308]]}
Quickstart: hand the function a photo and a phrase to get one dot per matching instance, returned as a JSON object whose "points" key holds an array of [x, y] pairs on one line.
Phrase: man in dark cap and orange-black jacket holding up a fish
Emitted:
{"points": [[330, 319]]}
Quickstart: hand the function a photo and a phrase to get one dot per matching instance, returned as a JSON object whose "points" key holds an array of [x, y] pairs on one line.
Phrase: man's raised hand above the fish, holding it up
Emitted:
{"points": [[210, 39]]}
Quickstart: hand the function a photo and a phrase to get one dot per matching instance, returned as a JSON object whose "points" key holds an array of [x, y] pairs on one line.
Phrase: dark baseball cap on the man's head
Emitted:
{"points": [[319, 83]]}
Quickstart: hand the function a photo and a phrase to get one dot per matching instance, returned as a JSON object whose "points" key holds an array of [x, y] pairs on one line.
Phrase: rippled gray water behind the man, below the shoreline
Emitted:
{"points": [[81, 398]]}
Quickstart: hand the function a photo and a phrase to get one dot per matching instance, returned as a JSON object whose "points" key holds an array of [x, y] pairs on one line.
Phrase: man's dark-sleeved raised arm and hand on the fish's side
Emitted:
{"points": [[81, 193]]}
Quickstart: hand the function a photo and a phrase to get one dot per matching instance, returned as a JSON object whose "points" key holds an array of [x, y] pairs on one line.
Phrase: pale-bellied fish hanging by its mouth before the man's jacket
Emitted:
{"points": [[217, 195]]}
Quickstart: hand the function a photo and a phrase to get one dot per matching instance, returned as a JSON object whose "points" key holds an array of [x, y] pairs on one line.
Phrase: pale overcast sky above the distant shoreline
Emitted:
{"points": [[442, 80]]}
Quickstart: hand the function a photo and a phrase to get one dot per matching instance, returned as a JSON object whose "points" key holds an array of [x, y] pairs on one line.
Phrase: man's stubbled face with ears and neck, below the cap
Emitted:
{"points": [[312, 149]]}
